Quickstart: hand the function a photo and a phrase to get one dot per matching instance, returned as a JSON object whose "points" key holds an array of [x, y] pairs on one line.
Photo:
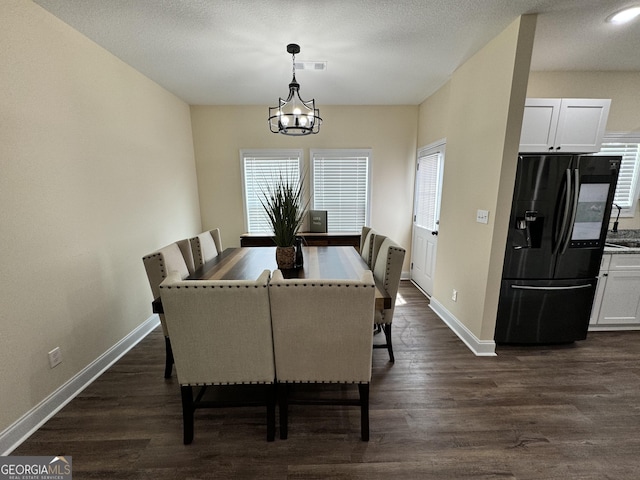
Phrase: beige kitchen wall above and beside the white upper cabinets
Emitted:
{"points": [[623, 88]]}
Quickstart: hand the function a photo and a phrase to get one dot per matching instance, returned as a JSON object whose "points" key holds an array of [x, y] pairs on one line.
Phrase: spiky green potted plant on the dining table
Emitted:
{"points": [[283, 204]]}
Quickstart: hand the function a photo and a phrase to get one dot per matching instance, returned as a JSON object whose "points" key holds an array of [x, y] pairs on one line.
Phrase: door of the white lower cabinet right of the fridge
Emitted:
{"points": [[621, 301]]}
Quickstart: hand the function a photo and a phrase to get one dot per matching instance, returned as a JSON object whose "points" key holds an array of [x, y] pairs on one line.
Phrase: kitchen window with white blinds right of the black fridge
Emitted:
{"points": [[628, 147]]}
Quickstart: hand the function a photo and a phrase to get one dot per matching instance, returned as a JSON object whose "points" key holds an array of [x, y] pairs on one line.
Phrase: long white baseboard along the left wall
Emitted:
{"points": [[24, 427]]}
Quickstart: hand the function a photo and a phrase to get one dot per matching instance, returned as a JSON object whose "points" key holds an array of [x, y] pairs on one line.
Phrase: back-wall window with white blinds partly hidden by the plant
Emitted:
{"points": [[260, 169]]}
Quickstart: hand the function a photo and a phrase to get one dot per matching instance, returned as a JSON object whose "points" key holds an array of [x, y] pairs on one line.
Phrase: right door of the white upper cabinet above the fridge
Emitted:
{"points": [[581, 125]]}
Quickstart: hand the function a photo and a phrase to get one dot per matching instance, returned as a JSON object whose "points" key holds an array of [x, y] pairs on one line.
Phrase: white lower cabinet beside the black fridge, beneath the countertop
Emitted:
{"points": [[617, 302]]}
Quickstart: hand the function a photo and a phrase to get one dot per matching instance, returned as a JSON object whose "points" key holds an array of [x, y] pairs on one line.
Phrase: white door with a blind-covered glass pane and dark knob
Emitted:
{"points": [[426, 215]]}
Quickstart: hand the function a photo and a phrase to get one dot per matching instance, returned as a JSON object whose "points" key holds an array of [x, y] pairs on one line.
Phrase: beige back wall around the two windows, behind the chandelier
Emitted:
{"points": [[220, 133]]}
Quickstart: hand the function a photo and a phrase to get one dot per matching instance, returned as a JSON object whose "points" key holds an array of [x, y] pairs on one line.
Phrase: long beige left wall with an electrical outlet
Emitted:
{"points": [[97, 169]]}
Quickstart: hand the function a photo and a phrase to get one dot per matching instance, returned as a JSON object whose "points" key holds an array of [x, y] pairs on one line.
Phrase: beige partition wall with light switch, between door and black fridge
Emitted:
{"points": [[483, 105]]}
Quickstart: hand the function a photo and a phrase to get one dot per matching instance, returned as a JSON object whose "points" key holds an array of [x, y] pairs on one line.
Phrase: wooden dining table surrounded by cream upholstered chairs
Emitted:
{"points": [[320, 263]]}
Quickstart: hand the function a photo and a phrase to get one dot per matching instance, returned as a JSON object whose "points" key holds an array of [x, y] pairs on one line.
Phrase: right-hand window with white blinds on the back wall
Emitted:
{"points": [[340, 184]]}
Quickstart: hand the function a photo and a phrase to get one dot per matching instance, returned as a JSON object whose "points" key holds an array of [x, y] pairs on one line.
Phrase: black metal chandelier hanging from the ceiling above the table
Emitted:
{"points": [[294, 116]]}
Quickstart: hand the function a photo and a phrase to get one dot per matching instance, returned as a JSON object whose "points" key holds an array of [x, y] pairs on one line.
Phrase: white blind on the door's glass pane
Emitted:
{"points": [[426, 207]]}
